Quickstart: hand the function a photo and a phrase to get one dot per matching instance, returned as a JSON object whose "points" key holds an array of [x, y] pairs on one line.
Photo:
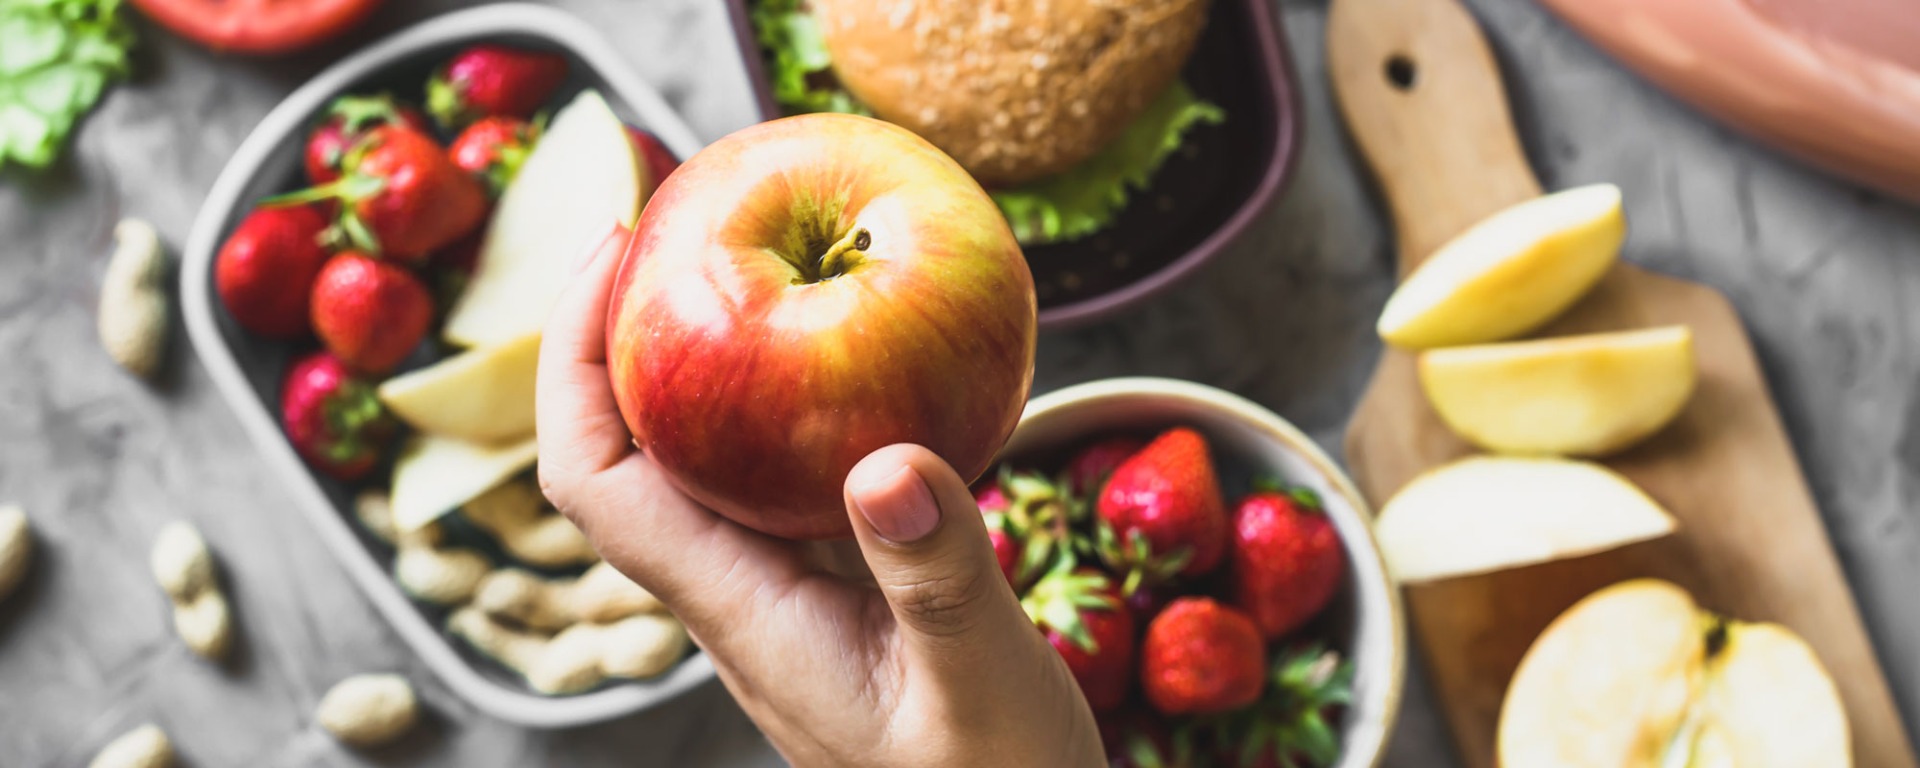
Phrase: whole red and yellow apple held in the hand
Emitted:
{"points": [[809, 291]]}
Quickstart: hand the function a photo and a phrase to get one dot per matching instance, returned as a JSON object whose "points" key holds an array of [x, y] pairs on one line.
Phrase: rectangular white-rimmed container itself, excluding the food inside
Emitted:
{"points": [[249, 372]]}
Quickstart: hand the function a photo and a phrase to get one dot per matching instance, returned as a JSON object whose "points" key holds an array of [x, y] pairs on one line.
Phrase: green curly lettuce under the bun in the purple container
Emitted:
{"points": [[1059, 208]]}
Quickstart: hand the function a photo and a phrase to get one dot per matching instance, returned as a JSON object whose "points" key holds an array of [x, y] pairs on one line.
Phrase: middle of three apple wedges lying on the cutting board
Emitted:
{"points": [[1573, 396]]}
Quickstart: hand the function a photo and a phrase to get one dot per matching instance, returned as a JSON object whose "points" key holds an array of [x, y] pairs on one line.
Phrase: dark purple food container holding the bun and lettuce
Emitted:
{"points": [[1199, 203]]}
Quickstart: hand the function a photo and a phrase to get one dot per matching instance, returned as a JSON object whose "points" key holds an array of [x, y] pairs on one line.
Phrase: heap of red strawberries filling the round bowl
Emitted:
{"points": [[1191, 625]]}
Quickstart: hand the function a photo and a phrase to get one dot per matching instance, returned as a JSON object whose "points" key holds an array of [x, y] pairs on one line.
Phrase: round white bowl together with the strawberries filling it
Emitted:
{"points": [[1207, 573]]}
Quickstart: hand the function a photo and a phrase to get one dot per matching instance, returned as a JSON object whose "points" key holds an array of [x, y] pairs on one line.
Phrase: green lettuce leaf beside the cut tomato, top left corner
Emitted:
{"points": [[57, 59]]}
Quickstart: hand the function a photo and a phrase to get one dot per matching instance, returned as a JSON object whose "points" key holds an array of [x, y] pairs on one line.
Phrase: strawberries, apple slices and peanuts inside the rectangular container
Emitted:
{"points": [[437, 241]]}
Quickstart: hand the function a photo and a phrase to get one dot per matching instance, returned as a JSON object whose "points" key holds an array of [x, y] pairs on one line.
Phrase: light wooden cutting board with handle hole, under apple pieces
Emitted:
{"points": [[1422, 97]]}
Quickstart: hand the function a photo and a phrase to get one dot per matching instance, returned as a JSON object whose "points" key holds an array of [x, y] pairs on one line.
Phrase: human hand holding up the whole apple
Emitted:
{"points": [[903, 648]]}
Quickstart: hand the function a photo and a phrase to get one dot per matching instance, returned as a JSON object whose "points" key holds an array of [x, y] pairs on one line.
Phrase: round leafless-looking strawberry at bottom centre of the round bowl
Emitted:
{"points": [[1203, 658]]}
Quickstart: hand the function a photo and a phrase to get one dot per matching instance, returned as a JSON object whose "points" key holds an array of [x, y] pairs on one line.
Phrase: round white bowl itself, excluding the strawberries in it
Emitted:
{"points": [[1366, 619]]}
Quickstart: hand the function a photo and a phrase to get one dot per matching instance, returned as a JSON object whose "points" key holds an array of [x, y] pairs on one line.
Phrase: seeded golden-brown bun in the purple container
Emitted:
{"points": [[1013, 89]]}
